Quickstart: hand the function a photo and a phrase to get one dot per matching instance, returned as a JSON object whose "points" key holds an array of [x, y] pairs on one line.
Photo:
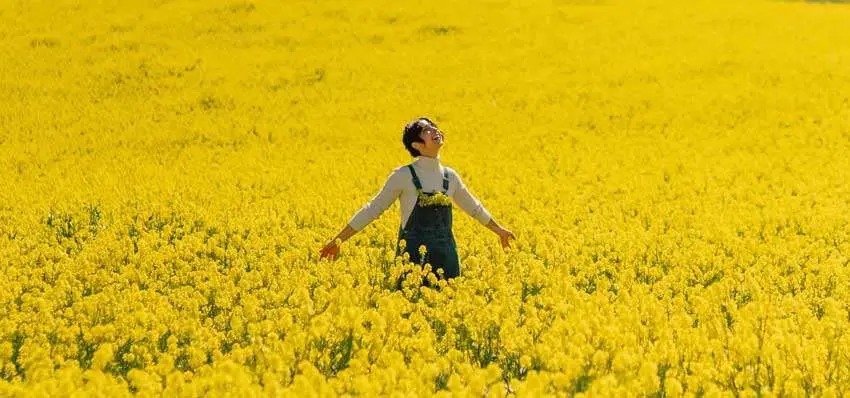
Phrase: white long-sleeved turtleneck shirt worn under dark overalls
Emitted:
{"points": [[400, 185]]}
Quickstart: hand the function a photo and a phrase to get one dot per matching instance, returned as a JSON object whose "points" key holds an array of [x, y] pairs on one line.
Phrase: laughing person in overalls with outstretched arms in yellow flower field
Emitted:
{"points": [[423, 188]]}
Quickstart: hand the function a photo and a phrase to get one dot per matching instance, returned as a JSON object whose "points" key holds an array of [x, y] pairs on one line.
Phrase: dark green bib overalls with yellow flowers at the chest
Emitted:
{"points": [[431, 226]]}
